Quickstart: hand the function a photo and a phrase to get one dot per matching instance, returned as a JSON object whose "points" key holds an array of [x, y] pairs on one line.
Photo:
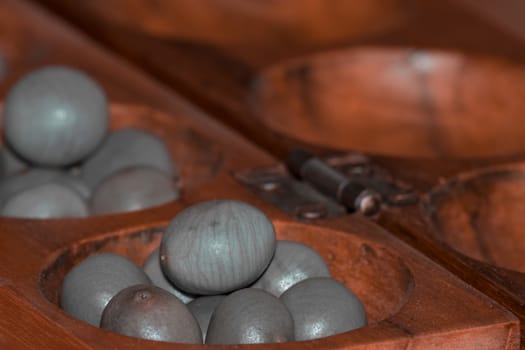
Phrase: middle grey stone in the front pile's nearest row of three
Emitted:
{"points": [[250, 316]]}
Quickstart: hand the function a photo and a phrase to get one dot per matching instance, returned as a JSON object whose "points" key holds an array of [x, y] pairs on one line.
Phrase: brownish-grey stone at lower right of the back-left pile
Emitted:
{"points": [[133, 189]]}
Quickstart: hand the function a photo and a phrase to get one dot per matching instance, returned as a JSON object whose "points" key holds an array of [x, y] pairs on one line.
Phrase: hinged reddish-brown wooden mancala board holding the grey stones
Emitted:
{"points": [[462, 214]]}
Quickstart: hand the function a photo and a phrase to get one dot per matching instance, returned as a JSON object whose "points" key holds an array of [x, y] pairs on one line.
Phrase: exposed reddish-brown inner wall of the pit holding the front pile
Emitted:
{"points": [[376, 274]]}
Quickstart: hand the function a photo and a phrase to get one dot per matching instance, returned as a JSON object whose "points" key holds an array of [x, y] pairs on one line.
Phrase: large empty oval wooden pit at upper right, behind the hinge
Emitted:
{"points": [[395, 101]]}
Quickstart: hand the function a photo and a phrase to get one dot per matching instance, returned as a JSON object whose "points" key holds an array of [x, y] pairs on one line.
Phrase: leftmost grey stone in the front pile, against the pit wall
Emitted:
{"points": [[90, 285]]}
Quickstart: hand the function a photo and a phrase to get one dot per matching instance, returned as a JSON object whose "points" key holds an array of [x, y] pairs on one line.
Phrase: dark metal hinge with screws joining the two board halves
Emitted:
{"points": [[311, 188]]}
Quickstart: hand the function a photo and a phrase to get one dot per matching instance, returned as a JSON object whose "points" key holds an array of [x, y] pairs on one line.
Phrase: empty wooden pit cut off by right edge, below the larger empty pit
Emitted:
{"points": [[482, 216]]}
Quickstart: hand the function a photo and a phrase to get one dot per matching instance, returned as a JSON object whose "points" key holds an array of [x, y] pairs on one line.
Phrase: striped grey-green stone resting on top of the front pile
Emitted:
{"points": [[216, 247]]}
